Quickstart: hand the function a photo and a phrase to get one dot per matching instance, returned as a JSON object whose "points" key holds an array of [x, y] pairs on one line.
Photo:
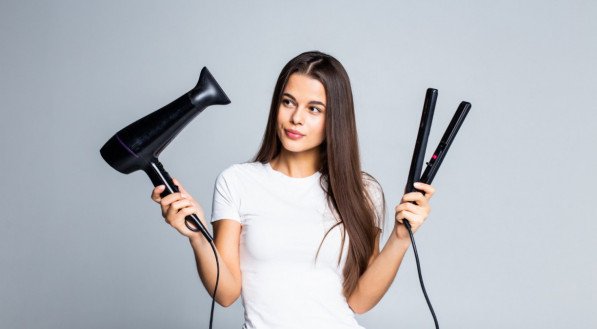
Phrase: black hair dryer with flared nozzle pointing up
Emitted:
{"points": [[139, 144]]}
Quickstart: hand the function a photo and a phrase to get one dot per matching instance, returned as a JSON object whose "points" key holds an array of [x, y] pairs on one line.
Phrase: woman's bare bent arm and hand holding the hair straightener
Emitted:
{"points": [[383, 266]]}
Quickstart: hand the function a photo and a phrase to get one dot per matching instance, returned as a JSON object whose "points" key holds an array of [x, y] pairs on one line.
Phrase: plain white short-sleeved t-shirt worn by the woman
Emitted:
{"points": [[284, 220]]}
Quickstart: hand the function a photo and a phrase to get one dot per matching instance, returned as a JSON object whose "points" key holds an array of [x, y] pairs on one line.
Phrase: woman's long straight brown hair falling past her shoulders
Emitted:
{"points": [[341, 175]]}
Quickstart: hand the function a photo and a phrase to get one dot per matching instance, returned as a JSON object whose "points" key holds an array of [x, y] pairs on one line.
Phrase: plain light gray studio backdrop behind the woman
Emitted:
{"points": [[510, 240]]}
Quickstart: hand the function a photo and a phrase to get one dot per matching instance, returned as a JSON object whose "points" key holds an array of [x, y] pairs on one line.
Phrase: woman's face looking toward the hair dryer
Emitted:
{"points": [[301, 114]]}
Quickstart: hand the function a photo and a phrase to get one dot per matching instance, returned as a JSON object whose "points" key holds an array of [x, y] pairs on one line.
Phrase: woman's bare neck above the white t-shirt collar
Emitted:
{"points": [[303, 164]]}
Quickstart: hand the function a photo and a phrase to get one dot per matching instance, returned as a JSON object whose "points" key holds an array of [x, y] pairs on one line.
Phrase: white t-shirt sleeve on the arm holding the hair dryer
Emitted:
{"points": [[225, 203]]}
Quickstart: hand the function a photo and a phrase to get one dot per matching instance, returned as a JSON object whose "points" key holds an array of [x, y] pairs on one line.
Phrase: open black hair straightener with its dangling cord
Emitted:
{"points": [[414, 174]]}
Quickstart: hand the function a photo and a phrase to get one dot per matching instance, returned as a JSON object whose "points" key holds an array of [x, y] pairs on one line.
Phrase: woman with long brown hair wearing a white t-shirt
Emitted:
{"points": [[298, 229]]}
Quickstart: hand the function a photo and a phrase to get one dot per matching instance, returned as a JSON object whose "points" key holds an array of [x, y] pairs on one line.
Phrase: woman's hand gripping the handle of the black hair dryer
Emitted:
{"points": [[176, 206]]}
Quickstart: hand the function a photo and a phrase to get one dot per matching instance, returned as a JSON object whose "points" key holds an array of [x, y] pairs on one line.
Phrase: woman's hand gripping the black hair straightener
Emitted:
{"points": [[416, 212]]}
